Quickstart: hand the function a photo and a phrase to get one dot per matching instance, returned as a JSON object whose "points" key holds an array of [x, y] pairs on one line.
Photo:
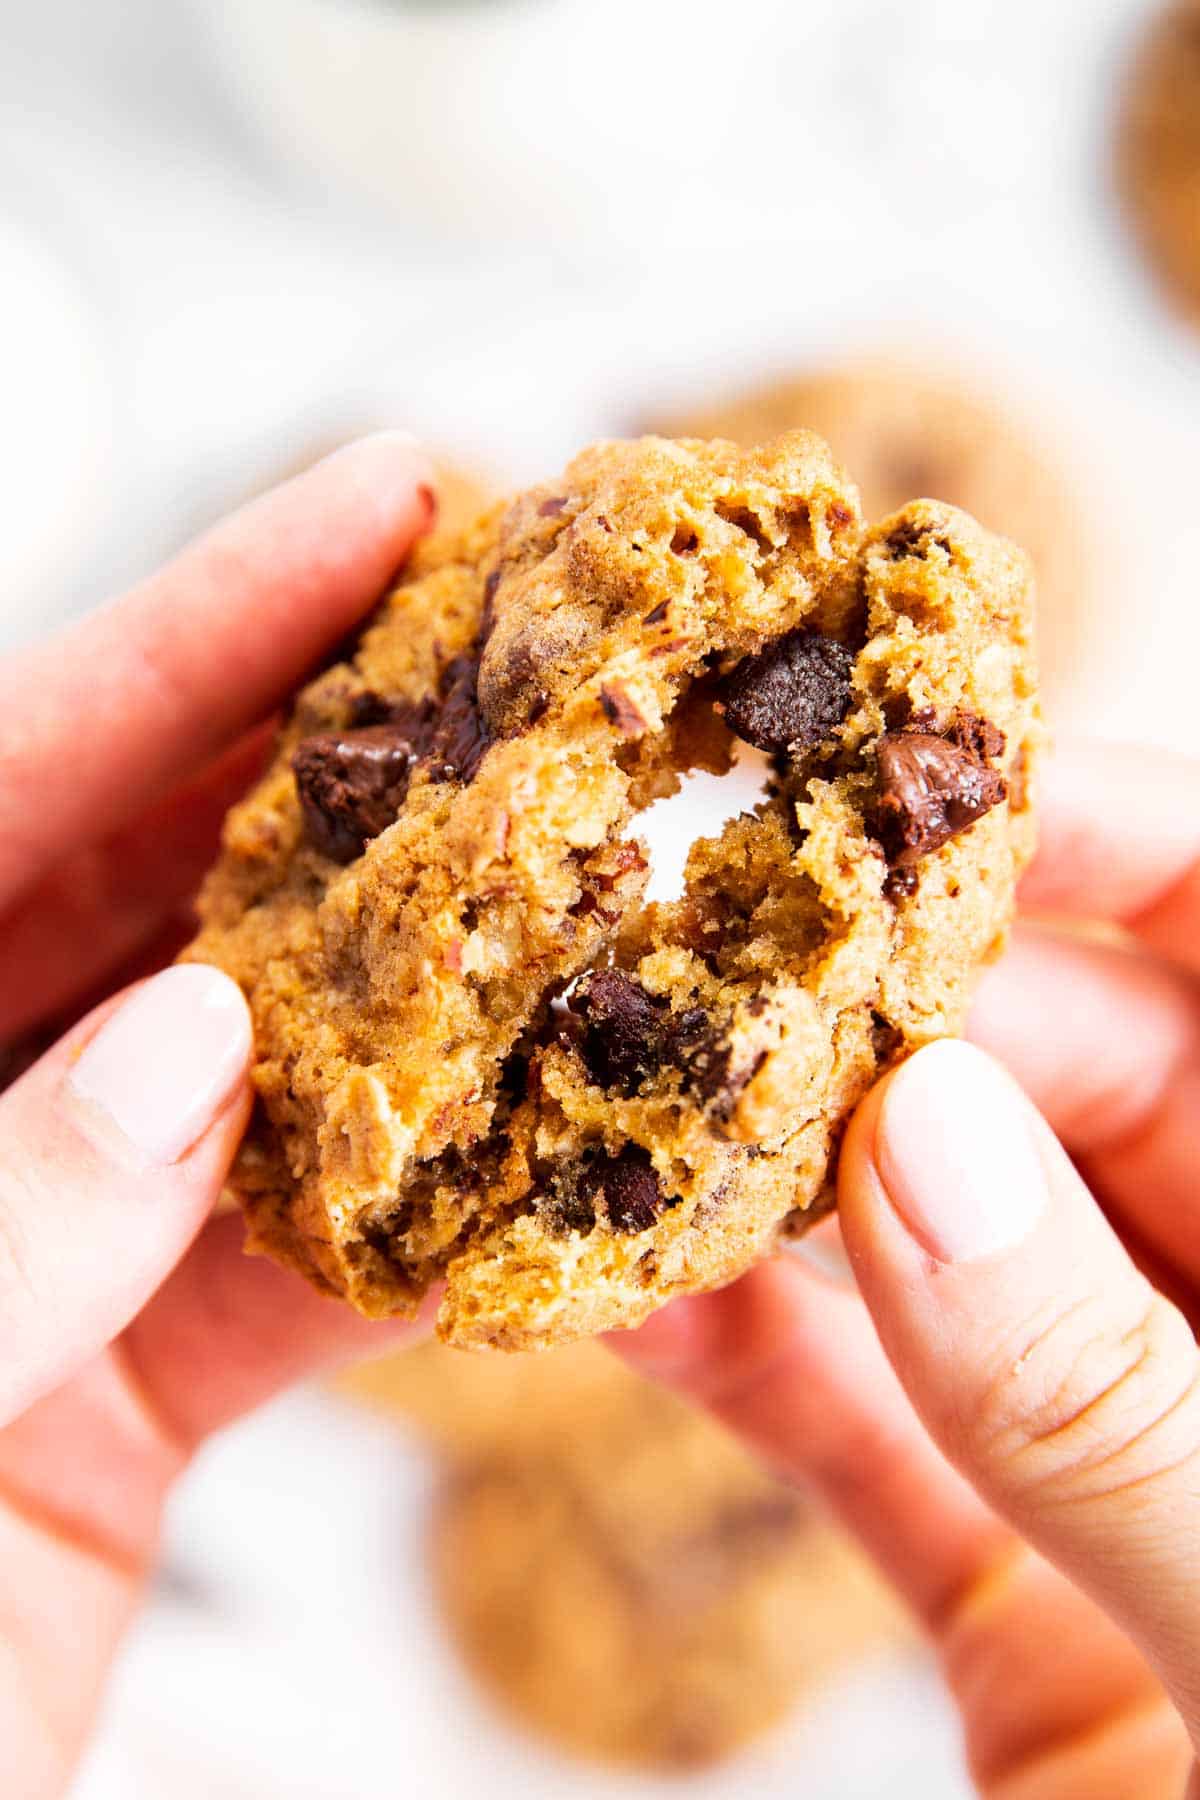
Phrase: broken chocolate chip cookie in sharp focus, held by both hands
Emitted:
{"points": [[481, 1057]]}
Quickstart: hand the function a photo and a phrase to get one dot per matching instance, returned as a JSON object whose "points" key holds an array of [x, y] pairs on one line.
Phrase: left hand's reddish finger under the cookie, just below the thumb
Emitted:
{"points": [[229, 1331]]}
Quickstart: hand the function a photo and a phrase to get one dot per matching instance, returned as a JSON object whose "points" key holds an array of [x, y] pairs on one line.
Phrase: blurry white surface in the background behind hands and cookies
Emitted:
{"points": [[596, 210]]}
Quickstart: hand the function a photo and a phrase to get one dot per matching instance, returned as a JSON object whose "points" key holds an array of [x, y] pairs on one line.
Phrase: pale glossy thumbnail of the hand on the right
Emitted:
{"points": [[958, 1156]]}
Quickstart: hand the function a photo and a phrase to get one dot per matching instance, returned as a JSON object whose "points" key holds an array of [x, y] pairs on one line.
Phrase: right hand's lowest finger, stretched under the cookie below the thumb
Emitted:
{"points": [[794, 1369]]}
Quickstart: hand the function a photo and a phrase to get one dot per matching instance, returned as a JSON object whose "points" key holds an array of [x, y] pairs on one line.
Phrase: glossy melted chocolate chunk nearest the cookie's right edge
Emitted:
{"points": [[931, 789]]}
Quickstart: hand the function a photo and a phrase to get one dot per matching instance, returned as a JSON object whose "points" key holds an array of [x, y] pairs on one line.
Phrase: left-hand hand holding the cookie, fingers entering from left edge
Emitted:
{"points": [[130, 1329]]}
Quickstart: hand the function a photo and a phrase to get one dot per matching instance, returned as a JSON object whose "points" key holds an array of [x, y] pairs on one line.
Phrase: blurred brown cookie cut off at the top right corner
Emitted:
{"points": [[1160, 150]]}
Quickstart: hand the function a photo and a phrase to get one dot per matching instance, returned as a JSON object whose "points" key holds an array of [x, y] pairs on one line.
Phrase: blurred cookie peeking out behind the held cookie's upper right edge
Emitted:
{"points": [[915, 431]]}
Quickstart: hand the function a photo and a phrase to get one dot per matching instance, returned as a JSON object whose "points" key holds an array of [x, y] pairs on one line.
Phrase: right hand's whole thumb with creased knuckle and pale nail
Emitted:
{"points": [[1043, 1363]]}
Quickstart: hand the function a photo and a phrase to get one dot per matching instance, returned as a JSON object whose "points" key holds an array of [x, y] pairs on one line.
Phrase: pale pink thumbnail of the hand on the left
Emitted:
{"points": [[168, 1061]]}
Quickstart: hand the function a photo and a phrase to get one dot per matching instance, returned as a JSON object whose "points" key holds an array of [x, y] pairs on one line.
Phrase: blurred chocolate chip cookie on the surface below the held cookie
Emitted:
{"points": [[665, 1617]]}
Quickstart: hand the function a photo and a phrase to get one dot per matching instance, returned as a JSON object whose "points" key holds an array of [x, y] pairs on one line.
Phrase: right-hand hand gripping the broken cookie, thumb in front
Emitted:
{"points": [[1037, 1304]]}
